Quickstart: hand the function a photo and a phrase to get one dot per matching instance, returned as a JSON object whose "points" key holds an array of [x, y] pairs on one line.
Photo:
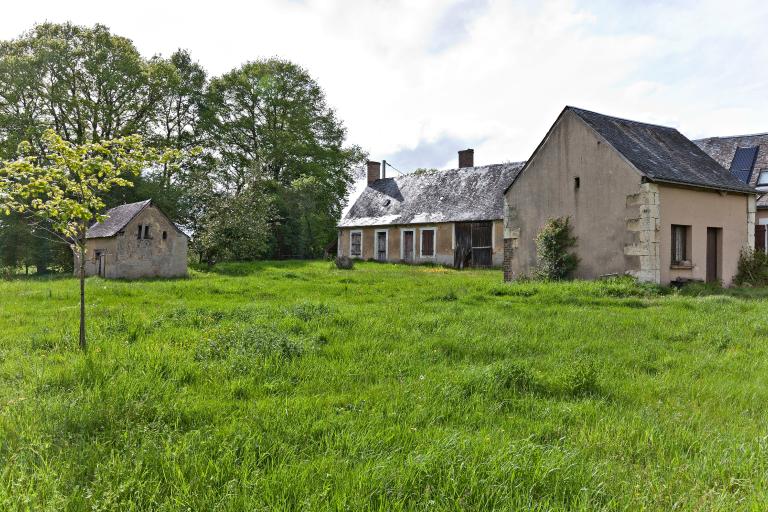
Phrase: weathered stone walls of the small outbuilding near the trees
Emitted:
{"points": [[128, 257]]}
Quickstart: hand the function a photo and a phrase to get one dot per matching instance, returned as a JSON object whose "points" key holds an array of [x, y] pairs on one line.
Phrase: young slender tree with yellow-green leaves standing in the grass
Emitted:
{"points": [[65, 186]]}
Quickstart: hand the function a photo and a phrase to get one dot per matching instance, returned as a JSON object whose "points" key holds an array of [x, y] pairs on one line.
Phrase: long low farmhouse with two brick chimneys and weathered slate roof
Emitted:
{"points": [[452, 217]]}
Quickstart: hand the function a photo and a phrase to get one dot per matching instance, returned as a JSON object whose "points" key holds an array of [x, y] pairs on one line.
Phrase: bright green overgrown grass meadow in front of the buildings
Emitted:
{"points": [[297, 386]]}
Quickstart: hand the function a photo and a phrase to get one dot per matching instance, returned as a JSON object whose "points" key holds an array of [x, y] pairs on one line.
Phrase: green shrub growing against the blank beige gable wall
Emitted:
{"points": [[553, 244]]}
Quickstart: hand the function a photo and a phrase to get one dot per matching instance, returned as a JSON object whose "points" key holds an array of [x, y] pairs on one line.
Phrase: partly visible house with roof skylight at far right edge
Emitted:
{"points": [[746, 156]]}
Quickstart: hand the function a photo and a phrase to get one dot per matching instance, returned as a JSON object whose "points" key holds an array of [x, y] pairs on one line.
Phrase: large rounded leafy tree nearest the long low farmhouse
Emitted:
{"points": [[271, 128]]}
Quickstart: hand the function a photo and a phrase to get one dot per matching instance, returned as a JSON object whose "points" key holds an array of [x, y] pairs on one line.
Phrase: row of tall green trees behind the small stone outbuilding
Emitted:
{"points": [[273, 169]]}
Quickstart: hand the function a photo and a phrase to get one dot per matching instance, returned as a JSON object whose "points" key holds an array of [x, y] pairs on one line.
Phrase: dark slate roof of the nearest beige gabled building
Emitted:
{"points": [[661, 153]]}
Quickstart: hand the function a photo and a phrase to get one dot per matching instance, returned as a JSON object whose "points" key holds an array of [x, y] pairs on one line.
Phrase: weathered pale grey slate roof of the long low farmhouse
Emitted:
{"points": [[456, 195]]}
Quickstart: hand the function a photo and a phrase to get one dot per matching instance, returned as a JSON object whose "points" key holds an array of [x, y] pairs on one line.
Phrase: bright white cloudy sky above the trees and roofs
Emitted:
{"points": [[416, 80]]}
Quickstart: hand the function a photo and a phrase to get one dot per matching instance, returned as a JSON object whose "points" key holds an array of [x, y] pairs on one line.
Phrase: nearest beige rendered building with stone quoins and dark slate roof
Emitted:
{"points": [[643, 200]]}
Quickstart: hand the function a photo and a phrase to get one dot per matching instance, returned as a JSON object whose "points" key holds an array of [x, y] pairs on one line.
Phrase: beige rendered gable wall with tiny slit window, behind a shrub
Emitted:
{"points": [[599, 208]]}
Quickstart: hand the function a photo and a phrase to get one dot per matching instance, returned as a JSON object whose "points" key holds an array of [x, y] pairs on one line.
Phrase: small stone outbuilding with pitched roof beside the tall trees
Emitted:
{"points": [[135, 240]]}
